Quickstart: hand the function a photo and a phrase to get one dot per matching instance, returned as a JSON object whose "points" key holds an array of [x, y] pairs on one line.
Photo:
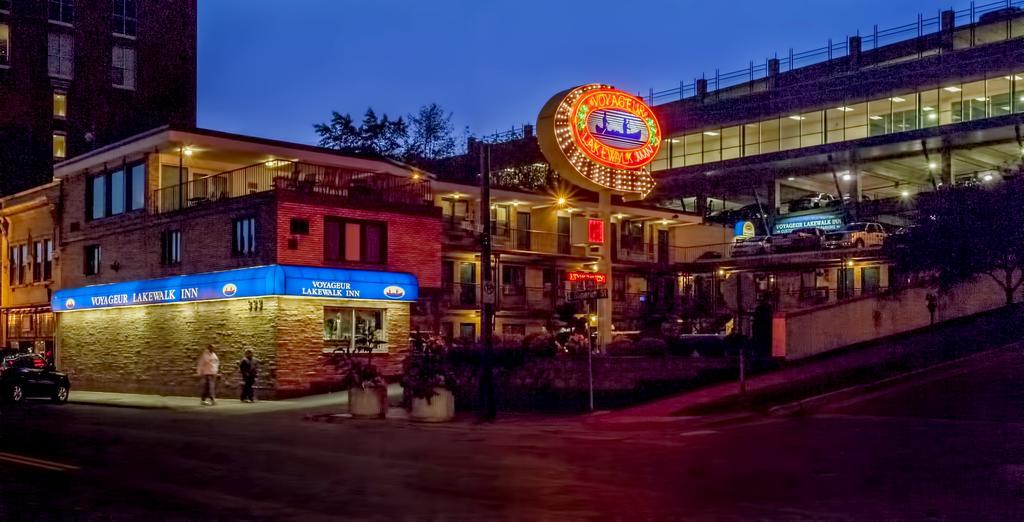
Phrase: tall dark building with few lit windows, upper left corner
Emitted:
{"points": [[76, 75]]}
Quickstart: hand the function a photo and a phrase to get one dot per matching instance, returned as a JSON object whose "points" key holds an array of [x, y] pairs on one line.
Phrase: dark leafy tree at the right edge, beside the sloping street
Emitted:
{"points": [[964, 233]]}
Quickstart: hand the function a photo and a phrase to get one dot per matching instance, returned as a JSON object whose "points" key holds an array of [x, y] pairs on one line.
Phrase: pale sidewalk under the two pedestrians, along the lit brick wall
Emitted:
{"points": [[139, 401]]}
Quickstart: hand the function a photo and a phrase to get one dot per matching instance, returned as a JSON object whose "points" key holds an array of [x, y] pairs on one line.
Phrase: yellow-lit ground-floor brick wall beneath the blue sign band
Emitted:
{"points": [[153, 350]]}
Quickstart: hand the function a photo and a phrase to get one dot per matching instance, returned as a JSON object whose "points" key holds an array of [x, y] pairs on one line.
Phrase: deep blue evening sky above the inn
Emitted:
{"points": [[273, 72]]}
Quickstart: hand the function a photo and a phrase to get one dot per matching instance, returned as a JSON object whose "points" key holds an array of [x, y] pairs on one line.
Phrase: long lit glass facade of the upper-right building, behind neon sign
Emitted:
{"points": [[949, 104]]}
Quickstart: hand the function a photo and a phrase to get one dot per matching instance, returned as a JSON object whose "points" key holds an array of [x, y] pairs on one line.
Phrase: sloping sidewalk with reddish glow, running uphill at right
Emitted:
{"points": [[859, 366]]}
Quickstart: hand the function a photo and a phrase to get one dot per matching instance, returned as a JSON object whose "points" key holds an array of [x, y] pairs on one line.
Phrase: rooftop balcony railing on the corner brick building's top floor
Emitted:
{"points": [[360, 187]]}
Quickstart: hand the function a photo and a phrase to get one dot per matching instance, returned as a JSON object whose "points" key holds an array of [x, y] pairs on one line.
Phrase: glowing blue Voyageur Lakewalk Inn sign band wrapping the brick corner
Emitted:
{"points": [[244, 283]]}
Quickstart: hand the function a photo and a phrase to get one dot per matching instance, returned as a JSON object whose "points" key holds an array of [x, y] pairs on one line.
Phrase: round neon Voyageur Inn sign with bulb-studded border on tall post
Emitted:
{"points": [[601, 138]]}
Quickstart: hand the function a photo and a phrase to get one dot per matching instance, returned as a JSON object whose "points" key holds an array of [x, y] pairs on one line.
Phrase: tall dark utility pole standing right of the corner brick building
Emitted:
{"points": [[489, 409]]}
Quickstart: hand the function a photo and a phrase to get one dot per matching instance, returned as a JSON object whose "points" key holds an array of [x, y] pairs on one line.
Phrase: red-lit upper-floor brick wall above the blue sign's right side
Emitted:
{"points": [[414, 240]]}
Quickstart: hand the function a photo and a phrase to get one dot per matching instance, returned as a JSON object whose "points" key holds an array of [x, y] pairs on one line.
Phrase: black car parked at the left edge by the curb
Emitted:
{"points": [[30, 376]]}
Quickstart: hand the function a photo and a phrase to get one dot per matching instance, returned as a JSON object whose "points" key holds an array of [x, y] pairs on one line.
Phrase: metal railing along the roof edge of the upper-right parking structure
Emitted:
{"points": [[874, 40]]}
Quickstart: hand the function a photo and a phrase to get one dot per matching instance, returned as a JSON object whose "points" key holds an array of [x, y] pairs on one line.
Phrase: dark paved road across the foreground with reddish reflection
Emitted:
{"points": [[946, 446]]}
